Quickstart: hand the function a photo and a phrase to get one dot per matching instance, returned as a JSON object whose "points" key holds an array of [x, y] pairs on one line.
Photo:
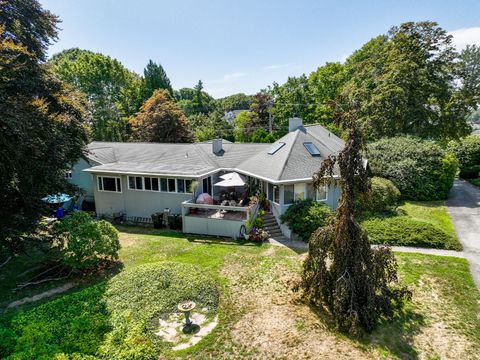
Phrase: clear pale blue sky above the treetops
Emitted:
{"points": [[243, 46]]}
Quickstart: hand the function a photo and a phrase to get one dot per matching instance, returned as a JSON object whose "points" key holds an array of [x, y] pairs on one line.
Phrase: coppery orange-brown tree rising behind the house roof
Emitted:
{"points": [[160, 120]]}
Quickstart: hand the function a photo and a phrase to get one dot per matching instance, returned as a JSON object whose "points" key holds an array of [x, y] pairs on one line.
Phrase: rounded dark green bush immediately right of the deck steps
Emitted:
{"points": [[305, 216]]}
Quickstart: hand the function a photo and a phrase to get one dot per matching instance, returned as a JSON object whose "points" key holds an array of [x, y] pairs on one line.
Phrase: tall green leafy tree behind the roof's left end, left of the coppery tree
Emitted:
{"points": [[113, 92]]}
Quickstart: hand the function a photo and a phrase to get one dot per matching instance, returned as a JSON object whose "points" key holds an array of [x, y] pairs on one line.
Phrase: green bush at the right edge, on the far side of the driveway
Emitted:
{"points": [[467, 152]]}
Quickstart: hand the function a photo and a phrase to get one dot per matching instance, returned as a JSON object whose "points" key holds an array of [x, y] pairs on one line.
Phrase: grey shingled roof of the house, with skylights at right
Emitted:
{"points": [[292, 161]]}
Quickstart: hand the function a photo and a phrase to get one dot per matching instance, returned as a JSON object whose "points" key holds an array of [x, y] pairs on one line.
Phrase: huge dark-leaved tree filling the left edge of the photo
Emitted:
{"points": [[42, 123]]}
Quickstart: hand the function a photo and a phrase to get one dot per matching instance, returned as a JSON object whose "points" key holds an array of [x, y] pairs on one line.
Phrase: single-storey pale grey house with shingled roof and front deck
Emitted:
{"points": [[139, 179]]}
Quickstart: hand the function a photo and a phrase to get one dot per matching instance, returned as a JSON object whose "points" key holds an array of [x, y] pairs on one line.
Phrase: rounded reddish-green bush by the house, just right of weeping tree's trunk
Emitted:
{"points": [[384, 195]]}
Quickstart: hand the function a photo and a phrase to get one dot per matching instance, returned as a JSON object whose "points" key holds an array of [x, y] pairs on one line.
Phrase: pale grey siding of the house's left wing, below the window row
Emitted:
{"points": [[136, 203]]}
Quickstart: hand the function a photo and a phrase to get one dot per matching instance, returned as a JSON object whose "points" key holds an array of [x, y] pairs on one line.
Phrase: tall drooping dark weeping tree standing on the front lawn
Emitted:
{"points": [[357, 284]]}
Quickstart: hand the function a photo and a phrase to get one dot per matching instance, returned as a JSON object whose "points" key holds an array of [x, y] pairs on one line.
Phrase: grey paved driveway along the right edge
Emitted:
{"points": [[464, 207]]}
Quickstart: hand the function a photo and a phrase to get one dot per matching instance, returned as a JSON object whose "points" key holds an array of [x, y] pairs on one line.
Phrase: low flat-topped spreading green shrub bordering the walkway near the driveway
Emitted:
{"points": [[404, 231]]}
